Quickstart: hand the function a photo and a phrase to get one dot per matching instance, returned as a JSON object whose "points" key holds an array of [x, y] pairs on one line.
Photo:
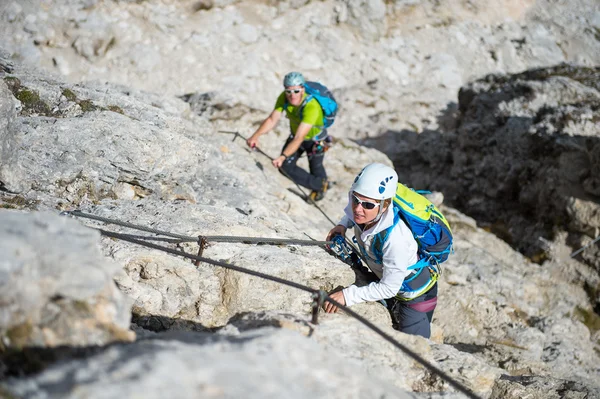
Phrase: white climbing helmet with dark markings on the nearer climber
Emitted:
{"points": [[376, 181]]}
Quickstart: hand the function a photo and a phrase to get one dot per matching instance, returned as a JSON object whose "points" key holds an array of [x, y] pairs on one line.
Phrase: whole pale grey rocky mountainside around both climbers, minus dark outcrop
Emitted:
{"points": [[151, 154]]}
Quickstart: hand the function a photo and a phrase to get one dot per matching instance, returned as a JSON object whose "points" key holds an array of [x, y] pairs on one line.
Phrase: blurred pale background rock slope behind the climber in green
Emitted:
{"points": [[393, 64]]}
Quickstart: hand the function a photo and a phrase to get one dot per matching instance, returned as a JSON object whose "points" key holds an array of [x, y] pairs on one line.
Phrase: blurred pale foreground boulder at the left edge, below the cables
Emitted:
{"points": [[56, 287]]}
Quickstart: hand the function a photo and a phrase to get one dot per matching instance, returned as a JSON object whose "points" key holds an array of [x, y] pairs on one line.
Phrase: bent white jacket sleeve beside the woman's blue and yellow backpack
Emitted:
{"points": [[399, 252]]}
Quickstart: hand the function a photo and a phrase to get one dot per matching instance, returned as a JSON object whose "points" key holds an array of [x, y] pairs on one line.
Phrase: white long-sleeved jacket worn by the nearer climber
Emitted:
{"points": [[399, 252]]}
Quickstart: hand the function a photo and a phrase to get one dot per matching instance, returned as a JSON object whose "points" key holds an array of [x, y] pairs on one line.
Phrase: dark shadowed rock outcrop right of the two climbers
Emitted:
{"points": [[523, 159]]}
